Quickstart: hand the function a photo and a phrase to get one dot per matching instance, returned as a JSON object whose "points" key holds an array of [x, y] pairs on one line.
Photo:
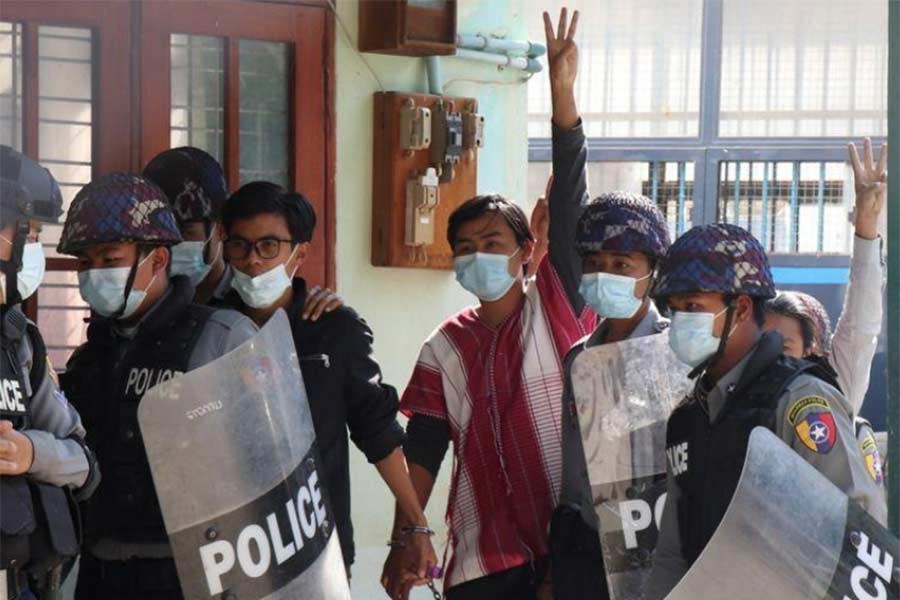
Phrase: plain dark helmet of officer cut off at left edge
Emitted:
{"points": [[27, 190]]}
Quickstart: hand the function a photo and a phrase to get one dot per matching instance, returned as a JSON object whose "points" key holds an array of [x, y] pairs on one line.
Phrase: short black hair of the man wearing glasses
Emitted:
{"points": [[265, 197]]}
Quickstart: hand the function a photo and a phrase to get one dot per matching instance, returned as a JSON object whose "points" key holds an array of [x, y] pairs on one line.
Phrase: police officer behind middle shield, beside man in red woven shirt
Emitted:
{"points": [[621, 238]]}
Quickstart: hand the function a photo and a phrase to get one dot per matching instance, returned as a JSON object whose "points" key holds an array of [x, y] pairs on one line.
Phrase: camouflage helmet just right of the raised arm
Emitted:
{"points": [[622, 222]]}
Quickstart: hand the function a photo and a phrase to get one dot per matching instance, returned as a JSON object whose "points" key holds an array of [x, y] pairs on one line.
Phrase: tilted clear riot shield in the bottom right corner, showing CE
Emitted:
{"points": [[790, 533]]}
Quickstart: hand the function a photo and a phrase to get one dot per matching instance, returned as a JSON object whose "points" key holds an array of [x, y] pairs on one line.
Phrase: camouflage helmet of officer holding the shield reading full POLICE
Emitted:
{"points": [[119, 207]]}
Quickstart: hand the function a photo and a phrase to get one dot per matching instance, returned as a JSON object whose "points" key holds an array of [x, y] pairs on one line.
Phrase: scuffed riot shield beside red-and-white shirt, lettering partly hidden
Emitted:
{"points": [[624, 393]]}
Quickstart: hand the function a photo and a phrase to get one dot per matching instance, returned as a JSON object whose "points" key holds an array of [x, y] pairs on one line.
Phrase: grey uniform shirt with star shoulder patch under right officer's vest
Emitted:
{"points": [[806, 405]]}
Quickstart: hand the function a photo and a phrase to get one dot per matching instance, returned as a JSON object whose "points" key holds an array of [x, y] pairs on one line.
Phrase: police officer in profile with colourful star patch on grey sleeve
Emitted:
{"points": [[716, 279]]}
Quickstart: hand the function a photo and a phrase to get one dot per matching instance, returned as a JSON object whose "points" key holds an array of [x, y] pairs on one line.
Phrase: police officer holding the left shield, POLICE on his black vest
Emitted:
{"points": [[144, 330]]}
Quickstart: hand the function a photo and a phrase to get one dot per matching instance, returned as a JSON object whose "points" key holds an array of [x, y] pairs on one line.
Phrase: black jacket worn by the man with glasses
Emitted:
{"points": [[345, 391]]}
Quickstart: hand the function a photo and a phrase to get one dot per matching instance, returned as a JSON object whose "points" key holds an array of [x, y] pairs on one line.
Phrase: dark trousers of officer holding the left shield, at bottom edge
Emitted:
{"points": [[135, 579]]}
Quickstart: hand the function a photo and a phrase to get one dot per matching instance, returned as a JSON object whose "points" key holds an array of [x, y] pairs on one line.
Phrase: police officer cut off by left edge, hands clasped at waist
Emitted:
{"points": [[43, 456]]}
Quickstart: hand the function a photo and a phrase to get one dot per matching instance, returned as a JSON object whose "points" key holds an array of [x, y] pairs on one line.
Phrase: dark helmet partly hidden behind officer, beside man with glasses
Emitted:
{"points": [[193, 180]]}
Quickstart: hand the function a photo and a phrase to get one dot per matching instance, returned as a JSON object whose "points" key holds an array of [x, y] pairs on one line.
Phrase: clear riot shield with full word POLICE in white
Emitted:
{"points": [[232, 449]]}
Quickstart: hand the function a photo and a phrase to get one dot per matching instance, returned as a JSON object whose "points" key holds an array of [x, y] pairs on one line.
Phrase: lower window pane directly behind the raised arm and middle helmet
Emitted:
{"points": [[669, 184]]}
